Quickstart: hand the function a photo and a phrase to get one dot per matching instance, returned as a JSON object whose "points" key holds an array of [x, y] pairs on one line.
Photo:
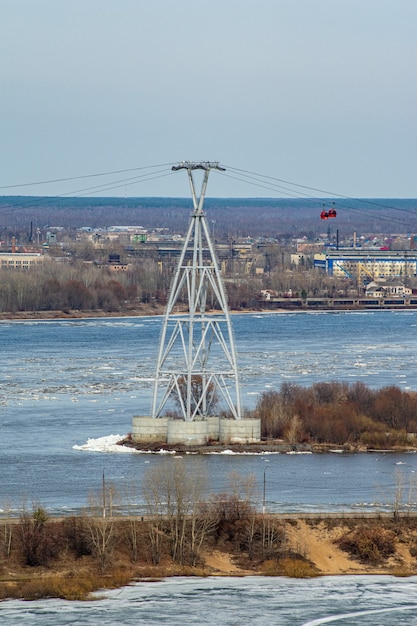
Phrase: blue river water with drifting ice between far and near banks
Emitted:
{"points": [[67, 386]]}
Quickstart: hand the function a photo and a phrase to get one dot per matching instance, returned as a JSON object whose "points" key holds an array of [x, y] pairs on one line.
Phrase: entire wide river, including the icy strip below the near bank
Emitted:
{"points": [[68, 388]]}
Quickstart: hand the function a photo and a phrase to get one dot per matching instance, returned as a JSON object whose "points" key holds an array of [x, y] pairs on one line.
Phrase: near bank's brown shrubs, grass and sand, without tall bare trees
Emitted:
{"points": [[233, 546]]}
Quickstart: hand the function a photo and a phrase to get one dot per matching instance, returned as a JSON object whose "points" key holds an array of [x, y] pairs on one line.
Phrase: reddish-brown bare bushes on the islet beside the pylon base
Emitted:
{"points": [[340, 413]]}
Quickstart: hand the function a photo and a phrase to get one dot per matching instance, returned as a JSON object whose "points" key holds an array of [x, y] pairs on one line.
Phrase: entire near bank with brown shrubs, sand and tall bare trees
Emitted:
{"points": [[184, 535]]}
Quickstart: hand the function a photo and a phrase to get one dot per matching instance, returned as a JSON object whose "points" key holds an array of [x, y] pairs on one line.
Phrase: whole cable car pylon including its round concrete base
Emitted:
{"points": [[196, 370]]}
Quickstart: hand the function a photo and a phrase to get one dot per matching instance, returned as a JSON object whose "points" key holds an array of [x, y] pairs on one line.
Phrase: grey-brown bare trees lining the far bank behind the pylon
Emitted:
{"points": [[88, 285]]}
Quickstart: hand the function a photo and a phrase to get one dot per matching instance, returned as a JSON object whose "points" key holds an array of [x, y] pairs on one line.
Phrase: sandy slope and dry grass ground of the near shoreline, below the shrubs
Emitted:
{"points": [[313, 546]]}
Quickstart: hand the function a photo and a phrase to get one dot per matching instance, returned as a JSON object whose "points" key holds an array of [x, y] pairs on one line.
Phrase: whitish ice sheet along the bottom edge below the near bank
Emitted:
{"points": [[255, 601]]}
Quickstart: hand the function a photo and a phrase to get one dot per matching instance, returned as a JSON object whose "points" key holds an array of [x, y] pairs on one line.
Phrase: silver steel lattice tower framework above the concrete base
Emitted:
{"points": [[196, 363]]}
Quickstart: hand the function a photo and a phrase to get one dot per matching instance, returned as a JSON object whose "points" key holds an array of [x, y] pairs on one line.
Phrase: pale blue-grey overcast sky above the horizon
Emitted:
{"points": [[321, 93]]}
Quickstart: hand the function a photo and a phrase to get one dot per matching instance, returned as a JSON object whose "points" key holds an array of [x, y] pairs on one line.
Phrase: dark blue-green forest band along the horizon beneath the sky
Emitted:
{"points": [[233, 217]]}
